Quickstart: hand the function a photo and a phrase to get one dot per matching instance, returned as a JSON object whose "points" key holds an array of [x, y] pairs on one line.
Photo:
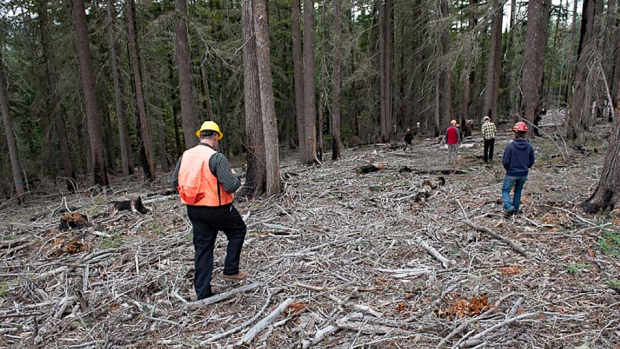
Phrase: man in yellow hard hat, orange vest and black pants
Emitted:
{"points": [[206, 183]]}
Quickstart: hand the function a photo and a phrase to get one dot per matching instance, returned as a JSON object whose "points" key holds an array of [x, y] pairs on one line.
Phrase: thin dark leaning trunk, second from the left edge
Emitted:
{"points": [[52, 103]]}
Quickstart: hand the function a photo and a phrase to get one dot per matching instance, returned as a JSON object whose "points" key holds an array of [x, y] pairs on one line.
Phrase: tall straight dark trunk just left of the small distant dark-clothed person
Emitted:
{"points": [[386, 72]]}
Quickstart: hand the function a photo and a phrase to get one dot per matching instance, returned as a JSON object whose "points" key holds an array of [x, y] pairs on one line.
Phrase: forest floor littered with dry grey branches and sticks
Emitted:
{"points": [[337, 260]]}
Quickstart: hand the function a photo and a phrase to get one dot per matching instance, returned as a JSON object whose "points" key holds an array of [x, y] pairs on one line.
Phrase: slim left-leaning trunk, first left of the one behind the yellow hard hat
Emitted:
{"points": [[146, 148]]}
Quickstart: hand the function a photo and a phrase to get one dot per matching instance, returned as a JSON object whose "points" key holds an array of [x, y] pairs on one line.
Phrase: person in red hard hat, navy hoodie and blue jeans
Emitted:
{"points": [[518, 159]]}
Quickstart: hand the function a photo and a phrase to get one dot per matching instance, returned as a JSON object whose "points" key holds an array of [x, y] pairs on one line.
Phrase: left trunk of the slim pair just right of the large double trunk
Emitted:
{"points": [[298, 74]]}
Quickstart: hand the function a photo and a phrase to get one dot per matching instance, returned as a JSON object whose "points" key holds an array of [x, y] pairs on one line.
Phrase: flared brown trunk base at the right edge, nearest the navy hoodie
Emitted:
{"points": [[607, 193]]}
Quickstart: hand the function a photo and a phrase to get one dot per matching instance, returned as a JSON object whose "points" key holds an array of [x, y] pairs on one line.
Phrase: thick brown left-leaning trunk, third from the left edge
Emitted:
{"points": [[87, 78]]}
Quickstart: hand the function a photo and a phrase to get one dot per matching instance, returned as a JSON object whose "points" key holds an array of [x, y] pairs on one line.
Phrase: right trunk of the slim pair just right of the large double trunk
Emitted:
{"points": [[309, 97]]}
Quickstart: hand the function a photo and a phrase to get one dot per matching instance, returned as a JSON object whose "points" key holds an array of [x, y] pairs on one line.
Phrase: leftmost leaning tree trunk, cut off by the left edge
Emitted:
{"points": [[8, 131]]}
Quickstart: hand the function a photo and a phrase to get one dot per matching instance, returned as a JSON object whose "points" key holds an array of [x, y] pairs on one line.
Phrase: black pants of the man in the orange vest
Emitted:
{"points": [[206, 222]]}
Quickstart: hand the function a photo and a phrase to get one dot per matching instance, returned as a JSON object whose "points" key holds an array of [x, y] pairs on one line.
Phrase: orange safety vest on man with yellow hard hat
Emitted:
{"points": [[197, 185]]}
